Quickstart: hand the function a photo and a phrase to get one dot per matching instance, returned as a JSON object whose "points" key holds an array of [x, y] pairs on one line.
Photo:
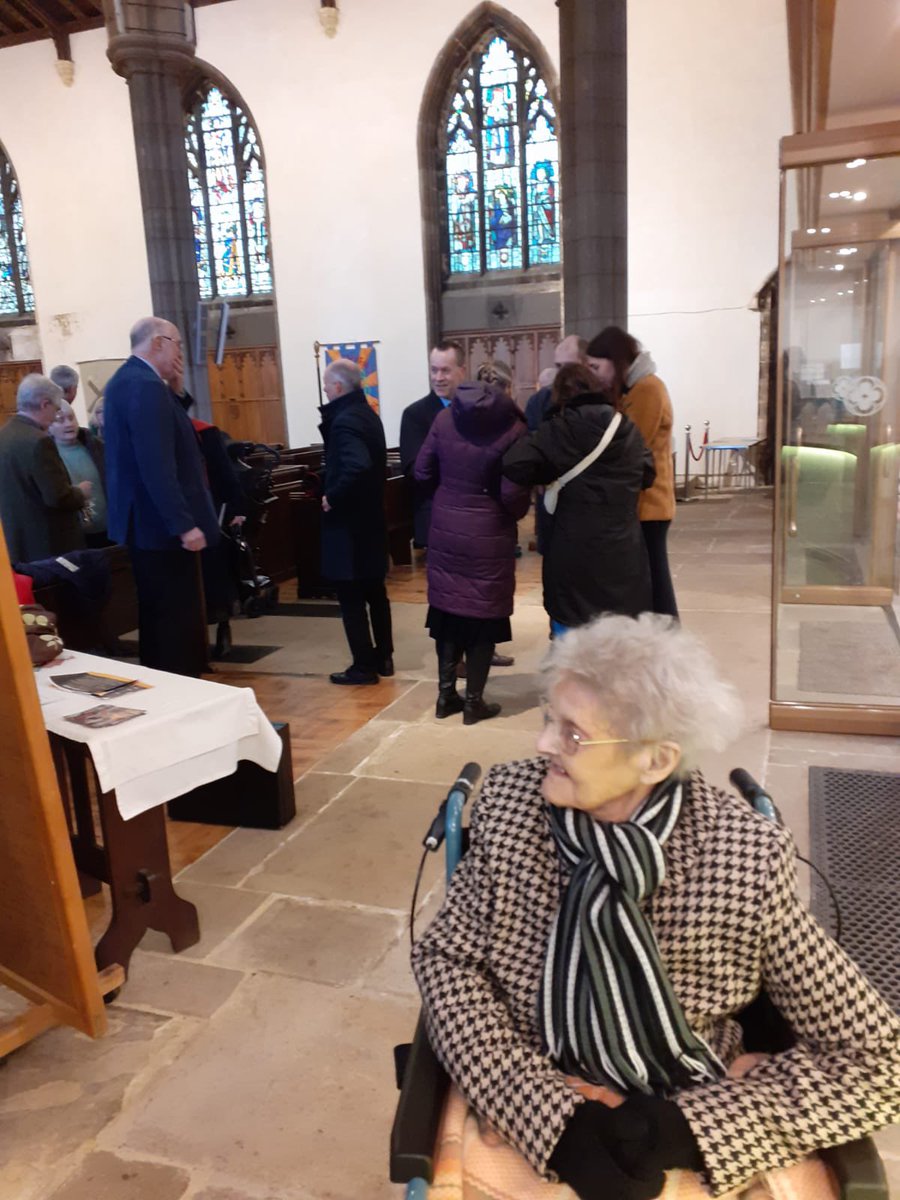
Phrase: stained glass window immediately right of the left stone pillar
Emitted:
{"points": [[225, 172]]}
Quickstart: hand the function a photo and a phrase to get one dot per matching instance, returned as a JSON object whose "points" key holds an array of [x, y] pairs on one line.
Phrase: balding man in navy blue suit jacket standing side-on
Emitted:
{"points": [[159, 501]]}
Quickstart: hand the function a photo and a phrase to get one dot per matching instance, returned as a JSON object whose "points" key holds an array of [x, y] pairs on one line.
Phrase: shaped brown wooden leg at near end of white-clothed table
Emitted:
{"points": [[141, 885]]}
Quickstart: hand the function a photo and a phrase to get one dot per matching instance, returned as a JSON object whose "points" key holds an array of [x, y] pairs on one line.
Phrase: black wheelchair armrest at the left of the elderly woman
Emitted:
{"points": [[416, 1123]]}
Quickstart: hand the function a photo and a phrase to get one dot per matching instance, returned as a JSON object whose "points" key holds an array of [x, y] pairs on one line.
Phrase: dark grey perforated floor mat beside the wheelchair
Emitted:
{"points": [[855, 838]]}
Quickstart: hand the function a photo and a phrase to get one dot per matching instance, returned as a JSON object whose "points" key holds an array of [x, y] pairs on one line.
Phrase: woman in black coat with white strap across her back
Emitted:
{"points": [[596, 560]]}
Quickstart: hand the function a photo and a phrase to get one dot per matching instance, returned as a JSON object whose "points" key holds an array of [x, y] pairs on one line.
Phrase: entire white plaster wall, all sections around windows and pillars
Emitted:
{"points": [[709, 100]]}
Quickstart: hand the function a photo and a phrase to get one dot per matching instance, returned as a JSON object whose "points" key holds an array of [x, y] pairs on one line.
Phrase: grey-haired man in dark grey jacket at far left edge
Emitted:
{"points": [[39, 505]]}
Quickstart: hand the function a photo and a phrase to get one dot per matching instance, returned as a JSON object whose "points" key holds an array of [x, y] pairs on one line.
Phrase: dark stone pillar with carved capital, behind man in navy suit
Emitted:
{"points": [[152, 44]]}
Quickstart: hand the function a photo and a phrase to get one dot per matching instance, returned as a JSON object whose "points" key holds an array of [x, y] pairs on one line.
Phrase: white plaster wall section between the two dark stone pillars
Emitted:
{"points": [[339, 121]]}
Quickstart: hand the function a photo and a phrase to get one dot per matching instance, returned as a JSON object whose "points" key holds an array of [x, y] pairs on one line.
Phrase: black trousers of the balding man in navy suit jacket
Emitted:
{"points": [[172, 620]]}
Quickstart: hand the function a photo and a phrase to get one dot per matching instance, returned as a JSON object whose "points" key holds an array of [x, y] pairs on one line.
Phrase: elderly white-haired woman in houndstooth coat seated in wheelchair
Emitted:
{"points": [[613, 917]]}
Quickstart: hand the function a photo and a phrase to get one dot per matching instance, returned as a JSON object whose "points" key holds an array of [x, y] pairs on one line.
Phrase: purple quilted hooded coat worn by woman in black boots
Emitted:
{"points": [[472, 542]]}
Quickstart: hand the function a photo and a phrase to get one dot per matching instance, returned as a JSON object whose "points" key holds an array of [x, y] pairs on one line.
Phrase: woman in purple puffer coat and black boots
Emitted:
{"points": [[472, 542]]}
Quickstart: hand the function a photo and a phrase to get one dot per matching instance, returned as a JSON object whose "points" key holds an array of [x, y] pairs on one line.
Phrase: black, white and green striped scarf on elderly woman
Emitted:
{"points": [[607, 1007]]}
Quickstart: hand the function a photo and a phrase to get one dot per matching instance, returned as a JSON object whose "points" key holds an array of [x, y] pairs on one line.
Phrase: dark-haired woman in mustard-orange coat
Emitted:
{"points": [[628, 375]]}
